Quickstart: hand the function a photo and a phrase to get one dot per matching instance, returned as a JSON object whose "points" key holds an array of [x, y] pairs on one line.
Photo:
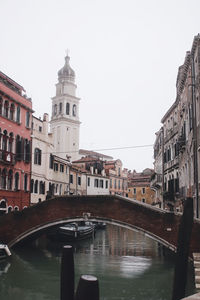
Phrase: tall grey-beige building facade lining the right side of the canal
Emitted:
{"points": [[181, 137]]}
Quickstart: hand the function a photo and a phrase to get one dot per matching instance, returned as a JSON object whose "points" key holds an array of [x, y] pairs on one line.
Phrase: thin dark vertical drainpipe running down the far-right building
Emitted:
{"points": [[195, 140]]}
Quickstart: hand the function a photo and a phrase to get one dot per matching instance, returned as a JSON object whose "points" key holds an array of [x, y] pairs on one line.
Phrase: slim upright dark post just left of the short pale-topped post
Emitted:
{"points": [[67, 274]]}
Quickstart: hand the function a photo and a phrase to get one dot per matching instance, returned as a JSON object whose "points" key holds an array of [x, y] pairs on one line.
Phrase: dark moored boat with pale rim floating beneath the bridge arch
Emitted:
{"points": [[75, 231]]}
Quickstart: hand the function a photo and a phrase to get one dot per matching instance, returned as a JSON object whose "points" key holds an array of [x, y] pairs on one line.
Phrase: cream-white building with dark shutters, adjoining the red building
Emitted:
{"points": [[50, 173]]}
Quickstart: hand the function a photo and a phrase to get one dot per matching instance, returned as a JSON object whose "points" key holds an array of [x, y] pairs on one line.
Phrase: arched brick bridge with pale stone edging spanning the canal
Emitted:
{"points": [[160, 225]]}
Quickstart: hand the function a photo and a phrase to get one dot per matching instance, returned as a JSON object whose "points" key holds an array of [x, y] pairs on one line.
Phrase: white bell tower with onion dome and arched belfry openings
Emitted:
{"points": [[65, 124]]}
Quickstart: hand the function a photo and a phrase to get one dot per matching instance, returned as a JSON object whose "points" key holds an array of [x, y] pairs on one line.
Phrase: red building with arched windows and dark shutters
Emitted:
{"points": [[15, 145]]}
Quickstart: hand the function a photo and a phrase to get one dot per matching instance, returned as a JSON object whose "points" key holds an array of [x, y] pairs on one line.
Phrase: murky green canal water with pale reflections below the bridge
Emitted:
{"points": [[128, 264]]}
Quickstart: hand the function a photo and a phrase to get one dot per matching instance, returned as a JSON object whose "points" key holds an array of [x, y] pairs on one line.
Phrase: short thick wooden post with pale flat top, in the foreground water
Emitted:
{"points": [[88, 288]]}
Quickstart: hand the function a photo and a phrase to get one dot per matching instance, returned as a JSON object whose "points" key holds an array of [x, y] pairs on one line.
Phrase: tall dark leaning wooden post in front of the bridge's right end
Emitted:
{"points": [[183, 243]]}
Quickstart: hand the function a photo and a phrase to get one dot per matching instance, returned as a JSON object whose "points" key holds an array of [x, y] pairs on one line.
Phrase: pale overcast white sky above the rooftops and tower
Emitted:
{"points": [[125, 54]]}
